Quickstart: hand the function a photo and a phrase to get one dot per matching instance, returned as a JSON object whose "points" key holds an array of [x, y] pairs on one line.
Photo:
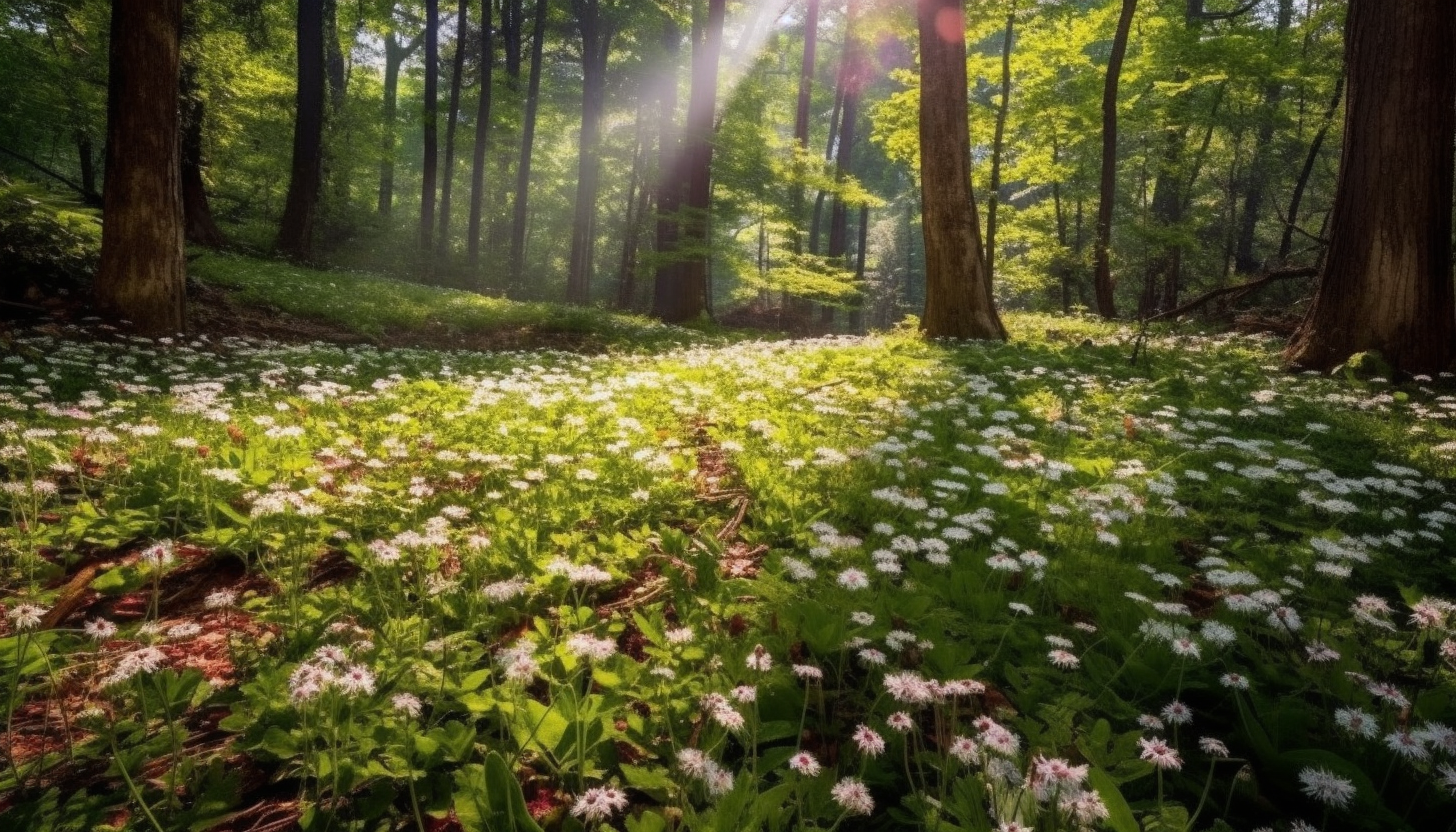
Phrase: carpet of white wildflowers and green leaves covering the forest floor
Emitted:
{"points": [[839, 584]]}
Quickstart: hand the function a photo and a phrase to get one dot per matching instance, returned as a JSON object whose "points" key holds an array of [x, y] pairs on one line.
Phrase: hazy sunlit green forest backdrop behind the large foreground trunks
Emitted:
{"points": [[528, 149]]}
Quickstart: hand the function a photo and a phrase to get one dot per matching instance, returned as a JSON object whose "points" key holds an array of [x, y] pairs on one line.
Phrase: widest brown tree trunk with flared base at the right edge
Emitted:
{"points": [[1387, 282]]}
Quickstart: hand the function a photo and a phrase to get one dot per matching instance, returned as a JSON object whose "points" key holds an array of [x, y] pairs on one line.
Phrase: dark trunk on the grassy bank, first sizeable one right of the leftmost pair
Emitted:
{"points": [[302, 208]]}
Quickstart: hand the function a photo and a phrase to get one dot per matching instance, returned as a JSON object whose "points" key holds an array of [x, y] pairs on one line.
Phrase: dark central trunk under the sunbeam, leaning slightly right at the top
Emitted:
{"points": [[687, 298]]}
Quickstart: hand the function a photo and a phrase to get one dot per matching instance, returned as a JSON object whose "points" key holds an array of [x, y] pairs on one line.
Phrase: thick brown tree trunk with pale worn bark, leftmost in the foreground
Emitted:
{"points": [[142, 275]]}
